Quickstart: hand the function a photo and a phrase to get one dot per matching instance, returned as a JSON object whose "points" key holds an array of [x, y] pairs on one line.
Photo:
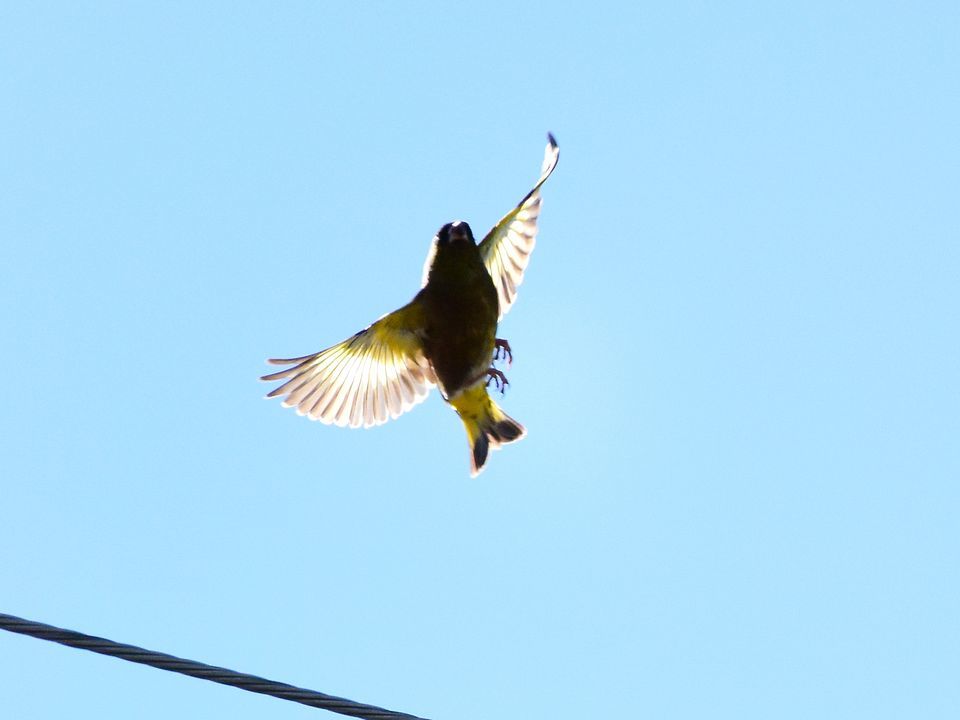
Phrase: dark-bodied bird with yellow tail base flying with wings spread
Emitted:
{"points": [[444, 337]]}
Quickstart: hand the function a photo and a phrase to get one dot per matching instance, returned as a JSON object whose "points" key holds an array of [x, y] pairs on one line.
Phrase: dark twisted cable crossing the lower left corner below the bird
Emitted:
{"points": [[162, 661]]}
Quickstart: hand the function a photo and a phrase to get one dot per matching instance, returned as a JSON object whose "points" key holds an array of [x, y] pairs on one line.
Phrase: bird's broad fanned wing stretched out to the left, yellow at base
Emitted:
{"points": [[377, 374]]}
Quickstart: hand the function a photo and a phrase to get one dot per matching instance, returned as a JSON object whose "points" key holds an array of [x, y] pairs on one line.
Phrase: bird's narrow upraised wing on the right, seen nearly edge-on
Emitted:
{"points": [[506, 248]]}
